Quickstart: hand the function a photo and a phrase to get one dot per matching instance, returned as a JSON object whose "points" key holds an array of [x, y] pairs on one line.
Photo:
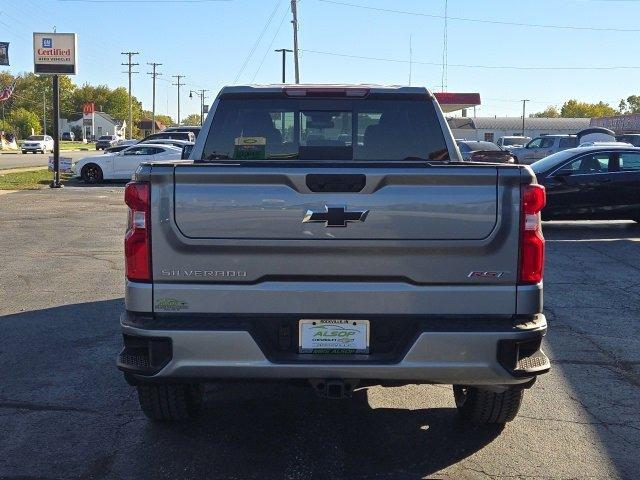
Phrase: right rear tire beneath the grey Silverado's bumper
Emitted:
{"points": [[484, 407]]}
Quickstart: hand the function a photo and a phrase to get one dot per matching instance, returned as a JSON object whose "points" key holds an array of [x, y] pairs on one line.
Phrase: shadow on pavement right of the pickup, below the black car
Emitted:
{"points": [[593, 310]]}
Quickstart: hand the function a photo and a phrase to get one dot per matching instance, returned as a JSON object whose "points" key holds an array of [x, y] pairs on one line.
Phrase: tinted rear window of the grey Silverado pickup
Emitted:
{"points": [[262, 128]]}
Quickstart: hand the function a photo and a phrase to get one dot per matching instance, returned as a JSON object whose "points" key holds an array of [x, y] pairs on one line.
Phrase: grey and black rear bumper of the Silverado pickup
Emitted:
{"points": [[506, 353]]}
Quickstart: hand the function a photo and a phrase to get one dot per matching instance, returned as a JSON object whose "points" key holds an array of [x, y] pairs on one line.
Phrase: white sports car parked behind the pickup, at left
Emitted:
{"points": [[121, 165]]}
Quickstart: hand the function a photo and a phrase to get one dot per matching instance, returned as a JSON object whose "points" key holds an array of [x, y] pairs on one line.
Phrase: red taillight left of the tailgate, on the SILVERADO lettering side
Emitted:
{"points": [[137, 240]]}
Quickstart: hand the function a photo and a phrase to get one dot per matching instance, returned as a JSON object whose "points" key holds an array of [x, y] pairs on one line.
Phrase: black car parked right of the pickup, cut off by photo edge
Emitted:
{"points": [[591, 183]]}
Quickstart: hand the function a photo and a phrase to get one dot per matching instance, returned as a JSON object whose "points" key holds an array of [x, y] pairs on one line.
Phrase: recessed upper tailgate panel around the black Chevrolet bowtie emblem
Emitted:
{"points": [[432, 204]]}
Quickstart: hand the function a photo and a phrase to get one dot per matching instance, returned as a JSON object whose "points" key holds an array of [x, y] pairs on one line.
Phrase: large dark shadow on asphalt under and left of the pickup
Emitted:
{"points": [[69, 413]]}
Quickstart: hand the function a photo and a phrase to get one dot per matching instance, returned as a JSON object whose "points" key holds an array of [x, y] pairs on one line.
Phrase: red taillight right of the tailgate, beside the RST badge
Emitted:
{"points": [[531, 240]]}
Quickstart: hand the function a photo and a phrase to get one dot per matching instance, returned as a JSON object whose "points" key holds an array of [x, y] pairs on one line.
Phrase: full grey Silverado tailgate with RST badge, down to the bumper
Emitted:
{"points": [[232, 239]]}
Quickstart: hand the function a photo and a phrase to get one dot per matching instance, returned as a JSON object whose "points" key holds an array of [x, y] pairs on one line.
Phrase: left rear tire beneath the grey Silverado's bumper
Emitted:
{"points": [[170, 402]]}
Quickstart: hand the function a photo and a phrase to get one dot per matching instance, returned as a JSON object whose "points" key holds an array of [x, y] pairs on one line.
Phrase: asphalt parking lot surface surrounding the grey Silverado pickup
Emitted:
{"points": [[66, 412]]}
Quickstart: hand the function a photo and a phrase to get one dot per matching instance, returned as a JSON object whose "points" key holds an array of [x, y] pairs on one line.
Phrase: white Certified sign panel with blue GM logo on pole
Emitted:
{"points": [[54, 53]]}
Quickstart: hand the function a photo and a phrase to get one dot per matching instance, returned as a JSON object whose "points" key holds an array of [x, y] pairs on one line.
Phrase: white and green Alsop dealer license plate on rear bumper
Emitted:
{"points": [[333, 336]]}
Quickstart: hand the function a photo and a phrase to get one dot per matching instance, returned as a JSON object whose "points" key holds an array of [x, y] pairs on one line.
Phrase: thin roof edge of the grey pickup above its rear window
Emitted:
{"points": [[280, 87]]}
